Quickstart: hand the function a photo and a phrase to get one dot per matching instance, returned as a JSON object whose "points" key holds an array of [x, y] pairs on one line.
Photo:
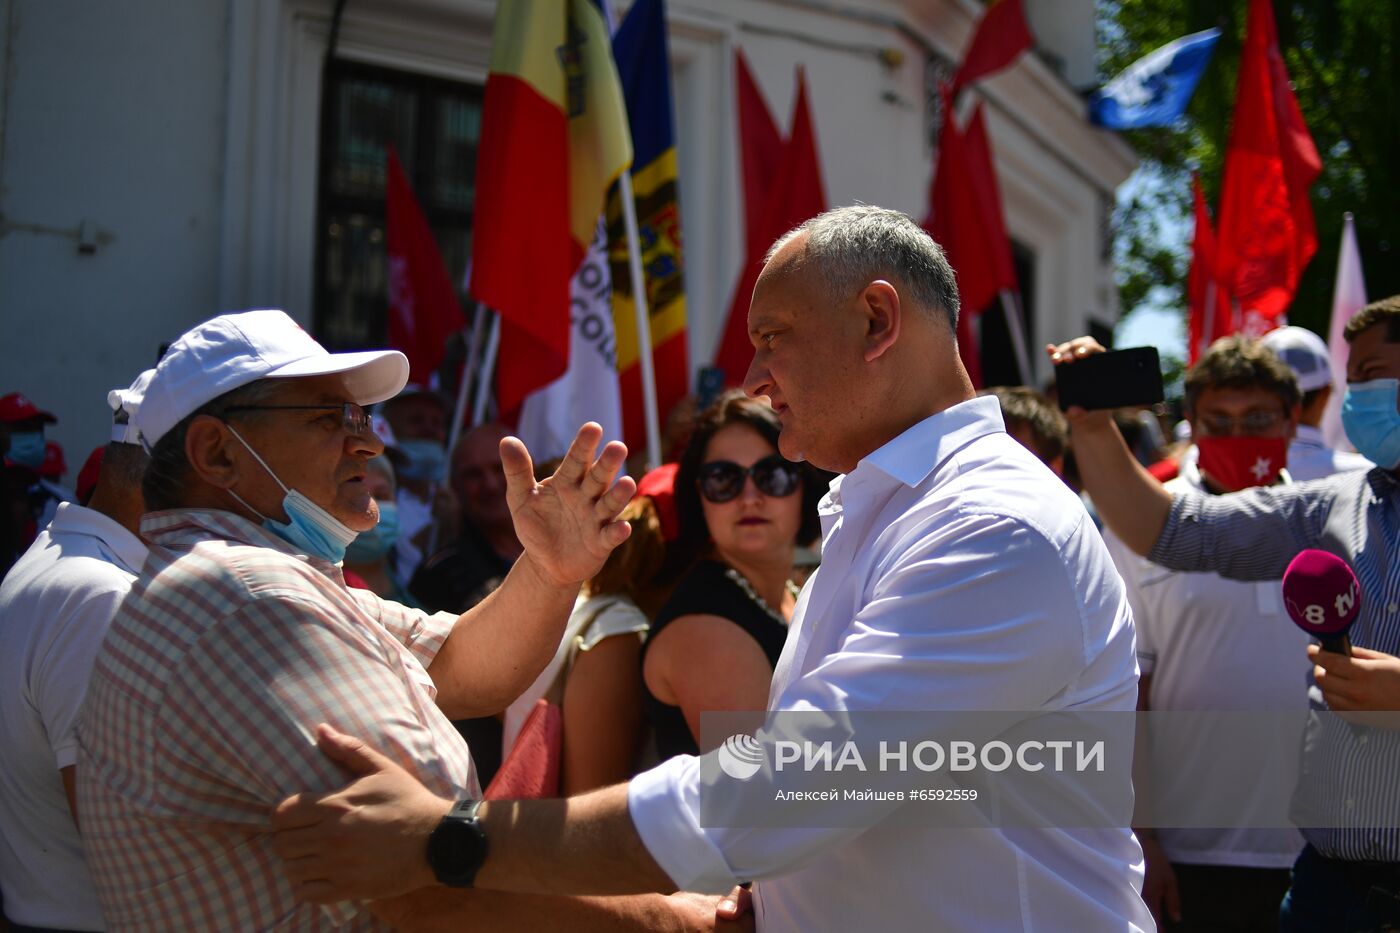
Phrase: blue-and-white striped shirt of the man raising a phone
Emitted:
{"points": [[1349, 789]]}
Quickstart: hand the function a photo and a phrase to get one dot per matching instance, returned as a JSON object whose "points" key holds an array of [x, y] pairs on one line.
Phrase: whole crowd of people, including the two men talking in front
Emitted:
{"points": [[275, 578]]}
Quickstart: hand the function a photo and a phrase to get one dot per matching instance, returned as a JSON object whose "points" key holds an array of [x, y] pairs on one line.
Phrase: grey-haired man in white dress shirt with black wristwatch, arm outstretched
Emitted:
{"points": [[958, 574]]}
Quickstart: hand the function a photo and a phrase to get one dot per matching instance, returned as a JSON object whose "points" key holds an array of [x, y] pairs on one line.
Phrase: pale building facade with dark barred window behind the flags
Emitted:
{"points": [[162, 162]]}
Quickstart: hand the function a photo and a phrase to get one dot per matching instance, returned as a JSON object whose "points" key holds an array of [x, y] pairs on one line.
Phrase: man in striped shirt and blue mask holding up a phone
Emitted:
{"points": [[1349, 875]]}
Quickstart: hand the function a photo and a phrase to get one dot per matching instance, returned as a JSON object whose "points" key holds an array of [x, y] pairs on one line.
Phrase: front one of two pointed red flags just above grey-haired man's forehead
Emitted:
{"points": [[794, 195]]}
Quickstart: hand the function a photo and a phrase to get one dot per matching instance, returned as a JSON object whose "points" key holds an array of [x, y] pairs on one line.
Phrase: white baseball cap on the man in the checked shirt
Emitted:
{"points": [[237, 350]]}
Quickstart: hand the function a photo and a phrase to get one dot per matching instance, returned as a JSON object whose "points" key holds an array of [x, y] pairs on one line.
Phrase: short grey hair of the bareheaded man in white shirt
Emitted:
{"points": [[857, 244]]}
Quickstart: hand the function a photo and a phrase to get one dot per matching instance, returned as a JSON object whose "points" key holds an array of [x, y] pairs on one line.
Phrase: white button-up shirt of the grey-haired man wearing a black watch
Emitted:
{"points": [[958, 574]]}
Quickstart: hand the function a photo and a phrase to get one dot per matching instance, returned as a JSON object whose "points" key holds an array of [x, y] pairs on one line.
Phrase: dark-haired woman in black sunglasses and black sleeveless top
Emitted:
{"points": [[743, 511]]}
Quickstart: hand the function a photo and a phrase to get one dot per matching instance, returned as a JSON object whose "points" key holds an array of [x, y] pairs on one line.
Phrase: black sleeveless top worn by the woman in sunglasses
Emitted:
{"points": [[705, 590]]}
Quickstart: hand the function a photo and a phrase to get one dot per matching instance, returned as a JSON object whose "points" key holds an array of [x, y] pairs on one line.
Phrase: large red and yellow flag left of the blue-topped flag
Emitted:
{"points": [[554, 139]]}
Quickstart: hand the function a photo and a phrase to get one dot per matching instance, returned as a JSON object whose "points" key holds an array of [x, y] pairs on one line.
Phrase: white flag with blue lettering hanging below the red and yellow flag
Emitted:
{"points": [[589, 389]]}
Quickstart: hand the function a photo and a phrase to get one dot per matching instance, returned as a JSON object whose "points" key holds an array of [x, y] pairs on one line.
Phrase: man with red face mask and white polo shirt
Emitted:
{"points": [[1210, 644]]}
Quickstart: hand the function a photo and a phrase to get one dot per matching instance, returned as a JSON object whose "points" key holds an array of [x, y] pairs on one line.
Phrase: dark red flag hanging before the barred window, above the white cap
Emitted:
{"points": [[423, 305]]}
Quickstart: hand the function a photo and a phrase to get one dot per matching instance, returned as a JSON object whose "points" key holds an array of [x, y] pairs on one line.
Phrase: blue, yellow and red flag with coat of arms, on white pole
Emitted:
{"points": [[645, 67]]}
